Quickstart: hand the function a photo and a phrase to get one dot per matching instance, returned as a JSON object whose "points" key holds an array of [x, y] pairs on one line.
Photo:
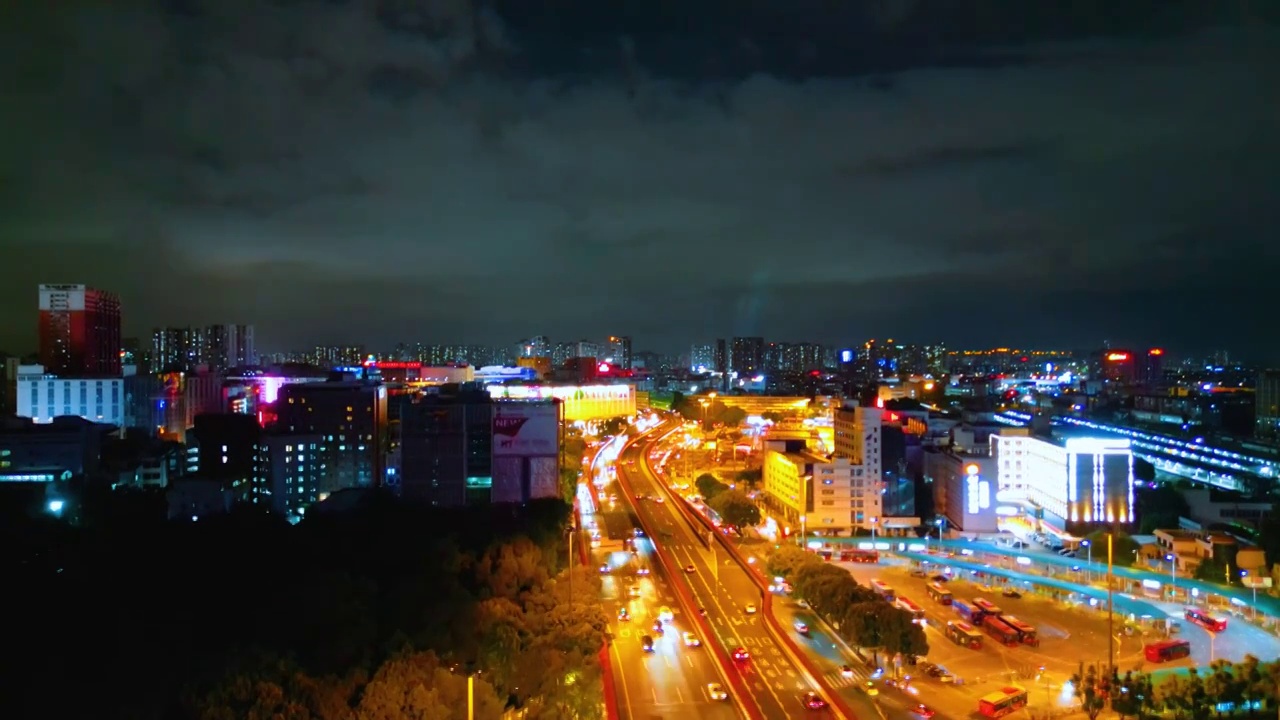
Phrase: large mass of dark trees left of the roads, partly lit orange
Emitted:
{"points": [[376, 613]]}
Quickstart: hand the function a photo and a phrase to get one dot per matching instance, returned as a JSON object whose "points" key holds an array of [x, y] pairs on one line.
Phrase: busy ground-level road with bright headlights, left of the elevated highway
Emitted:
{"points": [[673, 681]]}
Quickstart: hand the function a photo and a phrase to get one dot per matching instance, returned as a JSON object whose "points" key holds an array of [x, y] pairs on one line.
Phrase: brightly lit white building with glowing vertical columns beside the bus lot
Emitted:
{"points": [[1072, 484]]}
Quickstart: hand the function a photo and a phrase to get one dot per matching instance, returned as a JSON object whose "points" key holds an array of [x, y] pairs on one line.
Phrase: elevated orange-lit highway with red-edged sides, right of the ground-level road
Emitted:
{"points": [[725, 591]]}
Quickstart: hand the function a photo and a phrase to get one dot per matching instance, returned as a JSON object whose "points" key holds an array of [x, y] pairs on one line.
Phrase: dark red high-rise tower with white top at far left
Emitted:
{"points": [[80, 331]]}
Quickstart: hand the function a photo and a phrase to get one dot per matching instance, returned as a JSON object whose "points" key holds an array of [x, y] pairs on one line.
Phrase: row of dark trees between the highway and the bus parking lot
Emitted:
{"points": [[857, 613]]}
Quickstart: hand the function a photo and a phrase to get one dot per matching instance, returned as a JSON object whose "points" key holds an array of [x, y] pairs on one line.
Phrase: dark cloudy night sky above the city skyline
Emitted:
{"points": [[442, 171]]}
